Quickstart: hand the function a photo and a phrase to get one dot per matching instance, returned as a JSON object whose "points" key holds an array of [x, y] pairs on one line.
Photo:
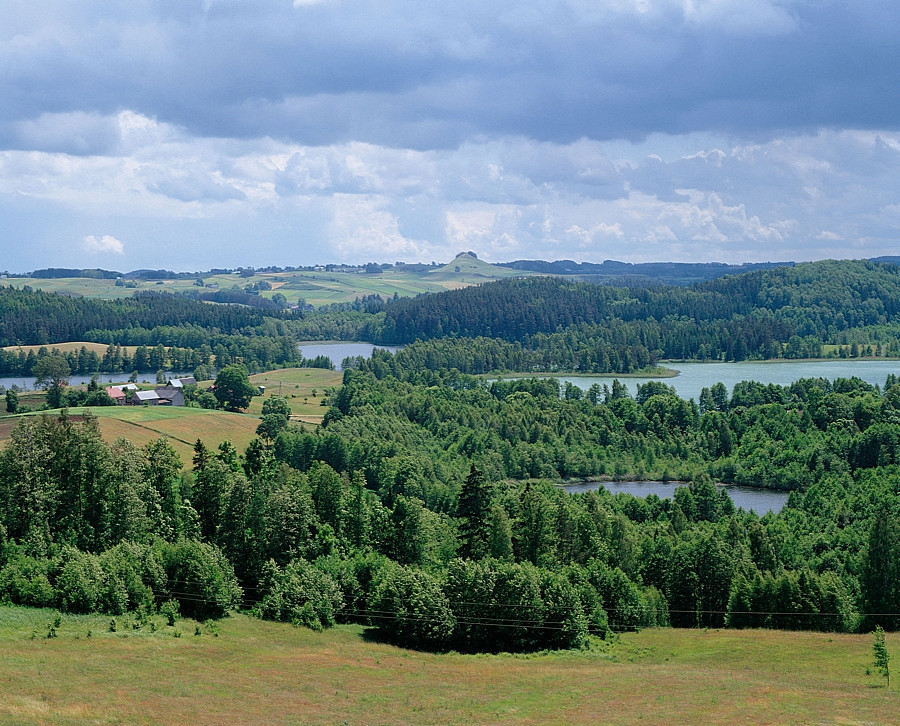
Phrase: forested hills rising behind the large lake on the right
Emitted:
{"points": [[553, 324]]}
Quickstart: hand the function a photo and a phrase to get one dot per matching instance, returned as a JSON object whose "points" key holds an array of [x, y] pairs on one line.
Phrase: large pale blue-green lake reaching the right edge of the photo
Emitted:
{"points": [[693, 377]]}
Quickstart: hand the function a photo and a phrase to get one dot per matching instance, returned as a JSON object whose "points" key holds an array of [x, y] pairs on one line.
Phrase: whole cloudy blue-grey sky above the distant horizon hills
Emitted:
{"points": [[191, 134]]}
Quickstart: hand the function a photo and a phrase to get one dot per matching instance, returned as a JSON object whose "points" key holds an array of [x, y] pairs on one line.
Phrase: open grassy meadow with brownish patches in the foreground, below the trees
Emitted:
{"points": [[255, 672]]}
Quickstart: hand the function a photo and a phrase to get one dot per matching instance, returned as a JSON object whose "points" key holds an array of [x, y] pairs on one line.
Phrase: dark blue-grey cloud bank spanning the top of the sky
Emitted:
{"points": [[433, 74]]}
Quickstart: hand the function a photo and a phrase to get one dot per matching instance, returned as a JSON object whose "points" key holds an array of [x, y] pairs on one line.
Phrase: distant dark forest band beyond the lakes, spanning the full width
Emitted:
{"points": [[545, 324]]}
